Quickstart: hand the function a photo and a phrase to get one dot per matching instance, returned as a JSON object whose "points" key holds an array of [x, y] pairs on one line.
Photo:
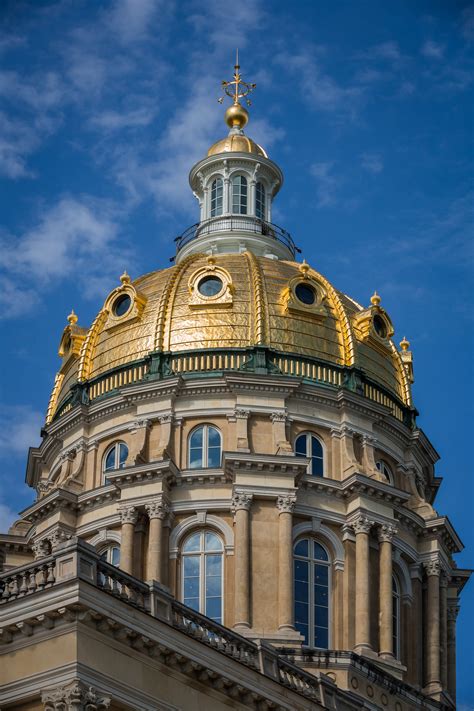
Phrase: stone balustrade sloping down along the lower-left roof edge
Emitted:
{"points": [[77, 561]]}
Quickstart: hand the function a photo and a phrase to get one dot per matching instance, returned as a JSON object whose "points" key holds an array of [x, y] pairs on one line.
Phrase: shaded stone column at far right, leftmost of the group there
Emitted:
{"points": [[432, 665]]}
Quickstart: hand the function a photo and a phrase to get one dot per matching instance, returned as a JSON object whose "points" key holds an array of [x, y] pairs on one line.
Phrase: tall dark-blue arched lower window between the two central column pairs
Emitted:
{"points": [[312, 585]]}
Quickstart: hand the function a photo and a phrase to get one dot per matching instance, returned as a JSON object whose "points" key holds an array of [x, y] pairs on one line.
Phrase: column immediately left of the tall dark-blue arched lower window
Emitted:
{"points": [[285, 505]]}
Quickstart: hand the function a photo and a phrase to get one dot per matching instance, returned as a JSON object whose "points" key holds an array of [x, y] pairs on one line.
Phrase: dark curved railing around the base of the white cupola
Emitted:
{"points": [[238, 224]]}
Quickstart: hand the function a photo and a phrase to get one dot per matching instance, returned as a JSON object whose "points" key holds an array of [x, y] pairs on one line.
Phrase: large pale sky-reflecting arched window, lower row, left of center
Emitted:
{"points": [[202, 573]]}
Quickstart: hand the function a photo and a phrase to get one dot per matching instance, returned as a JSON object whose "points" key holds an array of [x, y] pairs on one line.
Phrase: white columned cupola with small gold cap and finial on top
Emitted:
{"points": [[235, 185]]}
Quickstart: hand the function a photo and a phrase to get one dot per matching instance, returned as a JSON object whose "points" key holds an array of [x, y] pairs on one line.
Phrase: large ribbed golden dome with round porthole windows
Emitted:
{"points": [[258, 306]]}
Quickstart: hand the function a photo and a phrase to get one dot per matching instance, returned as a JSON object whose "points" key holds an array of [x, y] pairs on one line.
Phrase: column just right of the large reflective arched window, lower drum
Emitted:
{"points": [[241, 503]]}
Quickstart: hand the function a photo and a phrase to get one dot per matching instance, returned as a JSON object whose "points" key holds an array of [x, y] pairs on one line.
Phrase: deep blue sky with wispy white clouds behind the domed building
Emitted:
{"points": [[367, 108]]}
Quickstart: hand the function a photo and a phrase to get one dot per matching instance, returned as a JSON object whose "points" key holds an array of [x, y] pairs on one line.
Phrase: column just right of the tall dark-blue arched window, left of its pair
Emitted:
{"points": [[362, 526]]}
